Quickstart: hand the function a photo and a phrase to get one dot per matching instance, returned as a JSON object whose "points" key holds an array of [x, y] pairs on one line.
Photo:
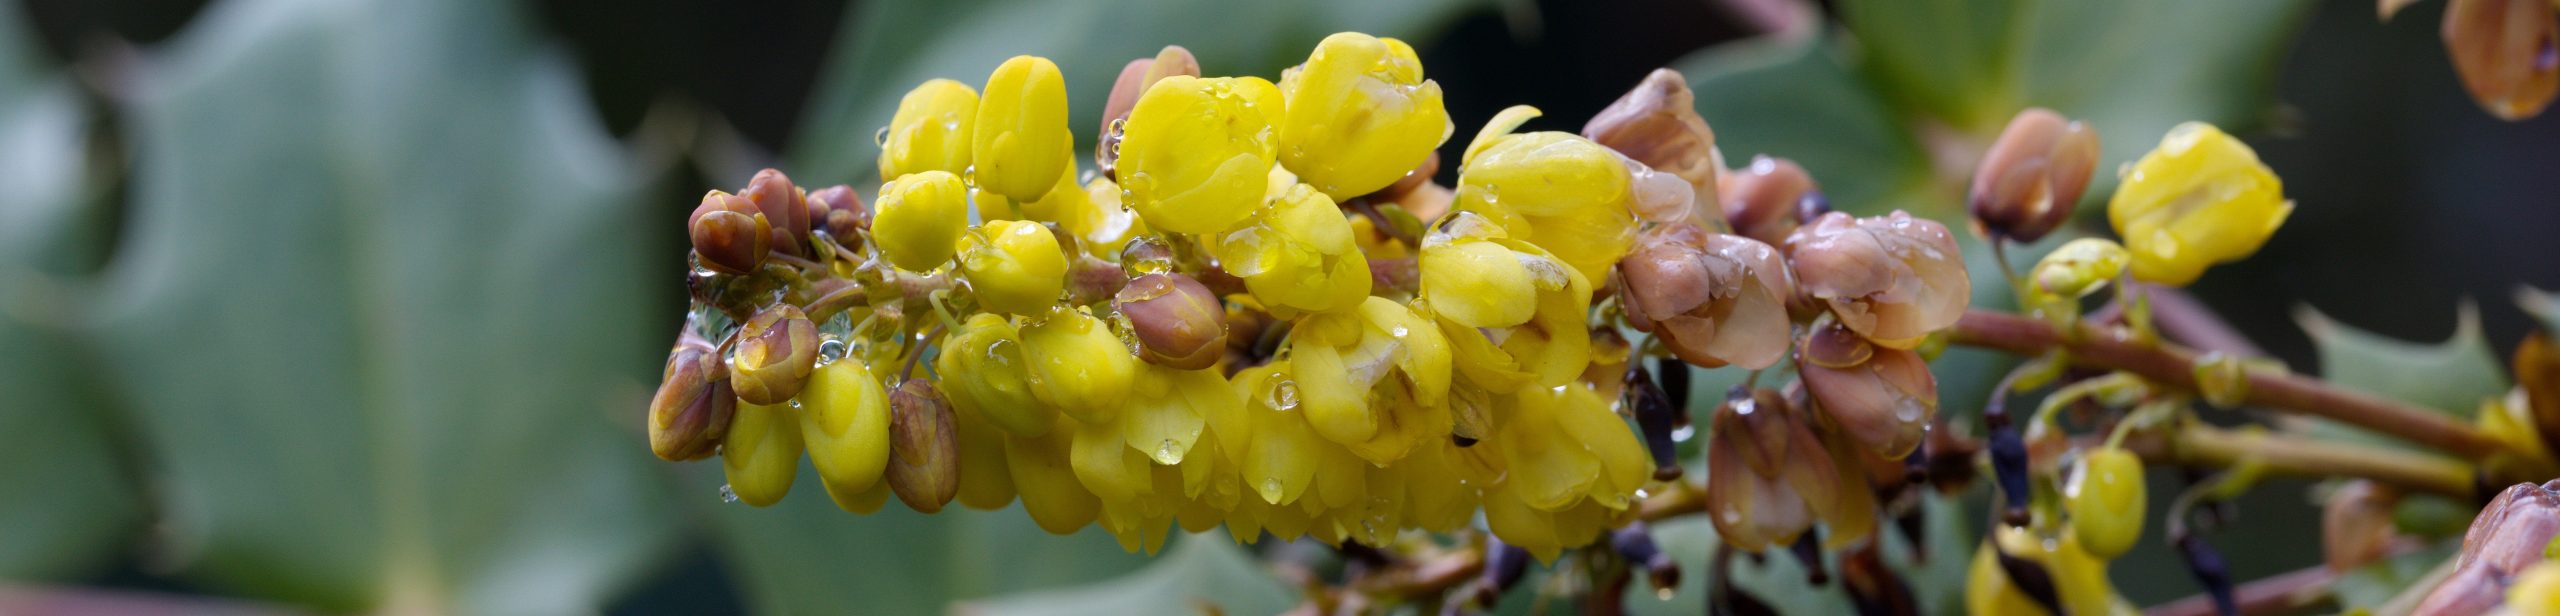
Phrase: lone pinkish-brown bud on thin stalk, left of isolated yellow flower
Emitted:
{"points": [[2034, 175]]}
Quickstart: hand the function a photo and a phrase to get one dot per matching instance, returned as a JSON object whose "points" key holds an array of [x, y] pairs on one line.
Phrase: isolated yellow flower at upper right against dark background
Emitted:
{"points": [[2198, 201]]}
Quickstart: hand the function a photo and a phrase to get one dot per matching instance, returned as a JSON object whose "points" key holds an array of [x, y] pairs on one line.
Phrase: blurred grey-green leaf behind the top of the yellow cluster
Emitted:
{"points": [[897, 45]]}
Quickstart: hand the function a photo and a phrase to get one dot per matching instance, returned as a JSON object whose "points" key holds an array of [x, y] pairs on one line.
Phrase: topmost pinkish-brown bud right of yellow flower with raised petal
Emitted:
{"points": [[1658, 127]]}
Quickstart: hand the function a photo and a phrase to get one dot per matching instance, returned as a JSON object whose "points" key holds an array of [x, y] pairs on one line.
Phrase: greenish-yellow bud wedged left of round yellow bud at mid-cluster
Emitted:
{"points": [[987, 374]]}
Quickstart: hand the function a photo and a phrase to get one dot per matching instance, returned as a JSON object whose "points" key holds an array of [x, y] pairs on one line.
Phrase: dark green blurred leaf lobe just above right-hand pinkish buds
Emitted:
{"points": [[1793, 96]]}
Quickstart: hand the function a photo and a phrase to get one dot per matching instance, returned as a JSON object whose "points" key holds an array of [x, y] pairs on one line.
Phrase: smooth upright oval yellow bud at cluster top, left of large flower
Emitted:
{"points": [[1020, 139]]}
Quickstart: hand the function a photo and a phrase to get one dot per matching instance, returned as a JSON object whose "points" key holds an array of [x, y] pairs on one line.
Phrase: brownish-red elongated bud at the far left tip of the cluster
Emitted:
{"points": [[692, 408]]}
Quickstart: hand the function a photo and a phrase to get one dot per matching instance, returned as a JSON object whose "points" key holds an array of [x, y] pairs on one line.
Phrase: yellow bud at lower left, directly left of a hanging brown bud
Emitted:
{"points": [[846, 423]]}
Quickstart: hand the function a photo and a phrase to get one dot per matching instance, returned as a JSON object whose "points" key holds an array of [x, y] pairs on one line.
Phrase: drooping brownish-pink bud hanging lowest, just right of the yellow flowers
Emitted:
{"points": [[1768, 474]]}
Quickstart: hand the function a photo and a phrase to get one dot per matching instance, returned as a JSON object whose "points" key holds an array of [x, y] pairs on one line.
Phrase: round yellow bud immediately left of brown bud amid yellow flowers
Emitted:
{"points": [[1079, 364]]}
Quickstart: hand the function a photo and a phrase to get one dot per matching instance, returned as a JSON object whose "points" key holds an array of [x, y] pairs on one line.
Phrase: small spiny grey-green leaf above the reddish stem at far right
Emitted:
{"points": [[2451, 377]]}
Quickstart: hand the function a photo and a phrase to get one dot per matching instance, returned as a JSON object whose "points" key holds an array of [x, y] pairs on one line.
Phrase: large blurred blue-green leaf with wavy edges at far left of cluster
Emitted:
{"points": [[375, 311]]}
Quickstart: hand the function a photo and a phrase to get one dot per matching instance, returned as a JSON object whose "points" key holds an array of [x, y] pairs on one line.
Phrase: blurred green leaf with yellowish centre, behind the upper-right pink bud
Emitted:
{"points": [[1896, 111]]}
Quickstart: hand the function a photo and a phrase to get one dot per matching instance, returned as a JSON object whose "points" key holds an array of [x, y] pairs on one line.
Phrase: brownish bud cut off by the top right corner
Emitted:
{"points": [[2505, 55]]}
